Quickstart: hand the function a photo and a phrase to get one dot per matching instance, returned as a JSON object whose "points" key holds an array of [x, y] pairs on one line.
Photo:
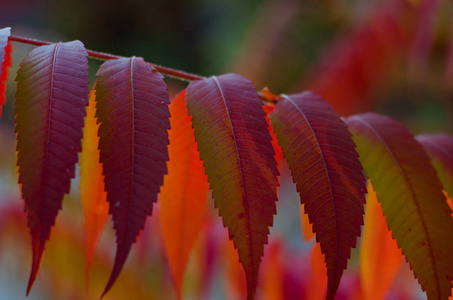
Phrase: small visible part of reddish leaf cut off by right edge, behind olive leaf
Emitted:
{"points": [[439, 148]]}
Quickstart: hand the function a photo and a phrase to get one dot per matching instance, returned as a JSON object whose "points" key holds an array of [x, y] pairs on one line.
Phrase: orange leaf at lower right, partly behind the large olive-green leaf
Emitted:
{"points": [[380, 257]]}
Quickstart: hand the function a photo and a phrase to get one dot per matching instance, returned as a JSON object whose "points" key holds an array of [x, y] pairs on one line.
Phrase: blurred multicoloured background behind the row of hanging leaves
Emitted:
{"points": [[394, 57]]}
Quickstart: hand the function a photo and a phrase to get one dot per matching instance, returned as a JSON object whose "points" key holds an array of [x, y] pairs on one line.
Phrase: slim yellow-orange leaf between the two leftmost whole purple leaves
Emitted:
{"points": [[92, 194]]}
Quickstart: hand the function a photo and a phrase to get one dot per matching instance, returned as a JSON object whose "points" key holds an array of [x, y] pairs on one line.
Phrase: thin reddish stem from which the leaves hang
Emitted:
{"points": [[105, 56]]}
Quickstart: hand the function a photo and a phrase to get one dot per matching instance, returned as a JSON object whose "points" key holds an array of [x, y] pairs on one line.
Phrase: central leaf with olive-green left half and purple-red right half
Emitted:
{"points": [[238, 157]]}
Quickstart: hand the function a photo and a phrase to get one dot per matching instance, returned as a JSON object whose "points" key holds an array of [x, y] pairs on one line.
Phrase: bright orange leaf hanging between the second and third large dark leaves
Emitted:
{"points": [[185, 191]]}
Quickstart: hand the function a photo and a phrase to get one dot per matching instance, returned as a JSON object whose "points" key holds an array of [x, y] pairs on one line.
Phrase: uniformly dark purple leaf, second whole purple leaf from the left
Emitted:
{"points": [[132, 107]]}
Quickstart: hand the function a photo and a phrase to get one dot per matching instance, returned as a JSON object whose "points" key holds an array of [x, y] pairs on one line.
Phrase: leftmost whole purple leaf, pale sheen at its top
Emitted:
{"points": [[52, 89]]}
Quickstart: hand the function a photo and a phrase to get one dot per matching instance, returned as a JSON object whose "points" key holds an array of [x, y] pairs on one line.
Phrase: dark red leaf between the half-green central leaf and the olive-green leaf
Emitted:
{"points": [[328, 175]]}
